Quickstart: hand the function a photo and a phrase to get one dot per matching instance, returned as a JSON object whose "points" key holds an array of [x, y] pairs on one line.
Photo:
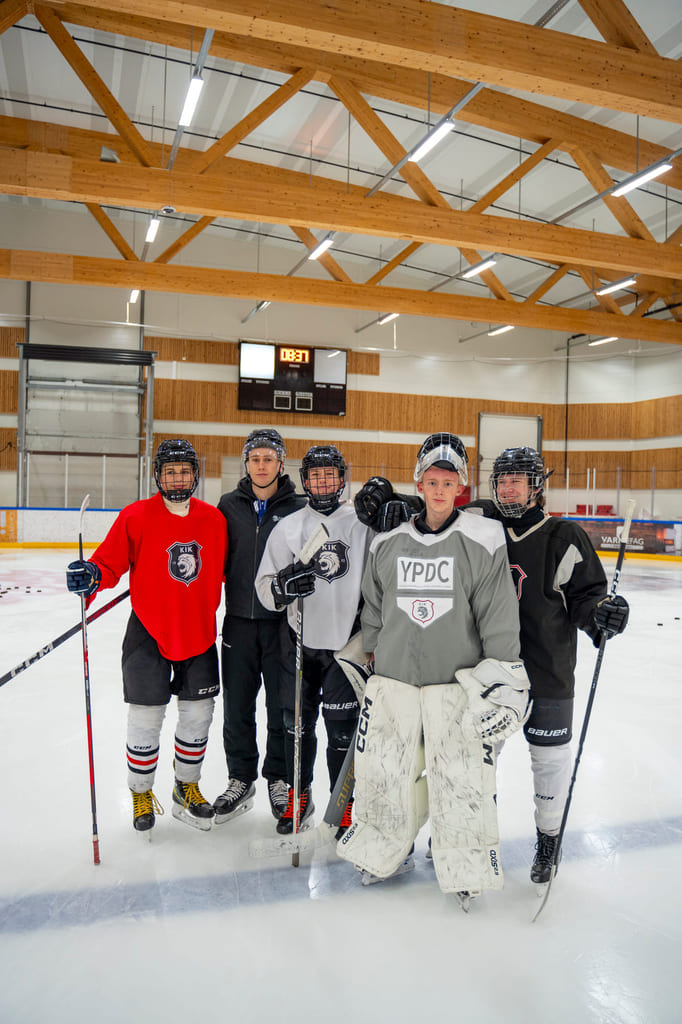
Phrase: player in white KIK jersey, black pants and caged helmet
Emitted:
{"points": [[331, 586]]}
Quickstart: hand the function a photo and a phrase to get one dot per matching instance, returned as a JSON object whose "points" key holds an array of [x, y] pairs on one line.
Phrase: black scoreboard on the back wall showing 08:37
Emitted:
{"points": [[292, 379]]}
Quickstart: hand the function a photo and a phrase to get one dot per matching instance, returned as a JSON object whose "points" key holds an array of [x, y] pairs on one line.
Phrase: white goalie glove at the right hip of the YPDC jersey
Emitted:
{"points": [[499, 699]]}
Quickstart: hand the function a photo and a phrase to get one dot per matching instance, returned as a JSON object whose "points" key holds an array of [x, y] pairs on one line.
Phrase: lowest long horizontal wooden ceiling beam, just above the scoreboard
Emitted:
{"points": [[68, 270]]}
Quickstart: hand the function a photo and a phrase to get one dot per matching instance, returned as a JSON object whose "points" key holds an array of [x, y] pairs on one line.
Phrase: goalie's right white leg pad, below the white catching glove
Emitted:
{"points": [[461, 776]]}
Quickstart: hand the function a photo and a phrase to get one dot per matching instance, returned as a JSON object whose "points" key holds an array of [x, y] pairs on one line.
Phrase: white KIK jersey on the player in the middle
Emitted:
{"points": [[331, 611]]}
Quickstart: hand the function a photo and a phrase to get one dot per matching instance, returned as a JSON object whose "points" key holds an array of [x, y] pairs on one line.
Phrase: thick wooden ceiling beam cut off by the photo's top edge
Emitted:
{"points": [[449, 41]]}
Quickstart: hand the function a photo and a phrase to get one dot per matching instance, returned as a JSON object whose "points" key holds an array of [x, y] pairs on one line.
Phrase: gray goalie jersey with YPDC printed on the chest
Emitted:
{"points": [[439, 603]]}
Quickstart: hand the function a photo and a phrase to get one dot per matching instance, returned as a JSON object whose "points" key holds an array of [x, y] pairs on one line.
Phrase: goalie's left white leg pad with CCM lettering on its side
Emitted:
{"points": [[390, 806]]}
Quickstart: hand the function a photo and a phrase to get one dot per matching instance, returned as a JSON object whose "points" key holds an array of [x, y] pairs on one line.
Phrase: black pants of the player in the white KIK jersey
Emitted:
{"points": [[326, 684]]}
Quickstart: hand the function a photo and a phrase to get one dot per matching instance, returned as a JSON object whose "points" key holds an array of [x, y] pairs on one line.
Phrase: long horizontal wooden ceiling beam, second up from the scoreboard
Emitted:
{"points": [[327, 206]]}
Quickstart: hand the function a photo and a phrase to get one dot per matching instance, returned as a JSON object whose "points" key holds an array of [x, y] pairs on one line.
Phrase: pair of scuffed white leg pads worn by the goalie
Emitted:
{"points": [[413, 762]]}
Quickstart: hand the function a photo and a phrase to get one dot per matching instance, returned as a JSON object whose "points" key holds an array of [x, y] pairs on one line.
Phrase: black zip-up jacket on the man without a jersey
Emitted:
{"points": [[246, 542]]}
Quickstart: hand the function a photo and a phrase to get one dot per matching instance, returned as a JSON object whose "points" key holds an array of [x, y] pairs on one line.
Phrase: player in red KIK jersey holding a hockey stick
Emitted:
{"points": [[175, 547]]}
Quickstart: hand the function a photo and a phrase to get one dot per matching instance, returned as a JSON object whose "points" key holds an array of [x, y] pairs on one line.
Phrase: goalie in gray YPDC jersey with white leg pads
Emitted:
{"points": [[441, 617]]}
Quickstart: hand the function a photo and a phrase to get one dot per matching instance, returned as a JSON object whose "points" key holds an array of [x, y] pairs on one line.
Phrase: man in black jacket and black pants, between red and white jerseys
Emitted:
{"points": [[250, 632]]}
